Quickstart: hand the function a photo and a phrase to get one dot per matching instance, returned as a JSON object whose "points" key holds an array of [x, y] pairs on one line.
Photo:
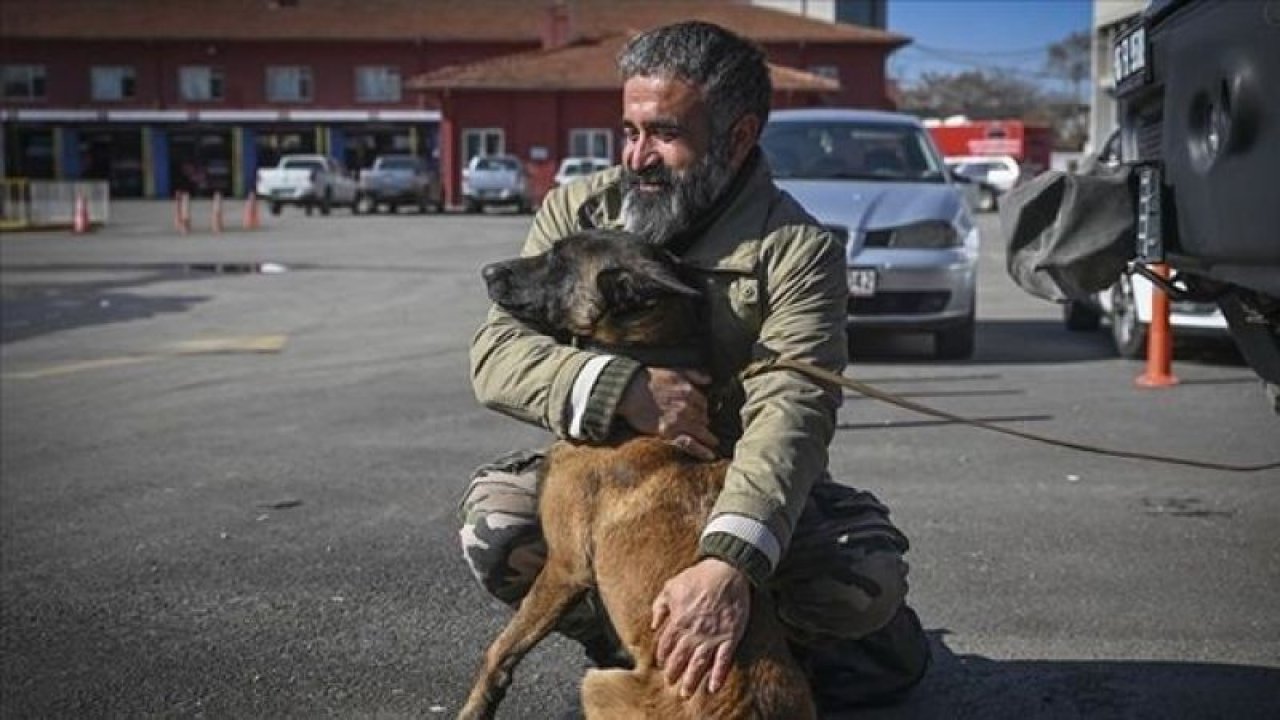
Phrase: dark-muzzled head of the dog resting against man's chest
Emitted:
{"points": [[606, 286]]}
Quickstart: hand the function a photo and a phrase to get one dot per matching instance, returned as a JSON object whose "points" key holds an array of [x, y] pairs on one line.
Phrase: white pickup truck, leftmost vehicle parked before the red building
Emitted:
{"points": [[310, 181]]}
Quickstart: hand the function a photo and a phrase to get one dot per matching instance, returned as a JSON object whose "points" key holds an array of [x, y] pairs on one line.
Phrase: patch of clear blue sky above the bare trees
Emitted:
{"points": [[954, 37]]}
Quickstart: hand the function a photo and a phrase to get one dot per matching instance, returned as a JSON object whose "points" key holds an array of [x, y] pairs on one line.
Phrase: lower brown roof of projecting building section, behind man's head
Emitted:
{"points": [[586, 65]]}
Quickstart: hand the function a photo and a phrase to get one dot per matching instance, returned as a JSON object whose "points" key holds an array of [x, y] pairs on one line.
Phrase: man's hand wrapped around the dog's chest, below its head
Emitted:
{"points": [[671, 404]]}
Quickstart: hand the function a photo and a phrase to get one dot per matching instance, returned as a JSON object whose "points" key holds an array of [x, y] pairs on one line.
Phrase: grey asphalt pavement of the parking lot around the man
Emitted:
{"points": [[230, 467]]}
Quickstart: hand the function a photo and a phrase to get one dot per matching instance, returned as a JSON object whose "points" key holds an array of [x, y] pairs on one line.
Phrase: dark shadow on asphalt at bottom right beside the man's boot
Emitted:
{"points": [[973, 687]]}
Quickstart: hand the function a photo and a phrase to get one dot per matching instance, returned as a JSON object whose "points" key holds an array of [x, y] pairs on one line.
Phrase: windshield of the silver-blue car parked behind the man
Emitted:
{"points": [[851, 151]]}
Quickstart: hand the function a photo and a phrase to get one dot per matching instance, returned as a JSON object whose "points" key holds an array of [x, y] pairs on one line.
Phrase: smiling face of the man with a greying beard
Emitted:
{"points": [[673, 168]]}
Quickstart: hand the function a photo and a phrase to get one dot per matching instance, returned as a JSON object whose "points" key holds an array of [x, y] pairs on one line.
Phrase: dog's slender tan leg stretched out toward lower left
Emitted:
{"points": [[554, 593]]}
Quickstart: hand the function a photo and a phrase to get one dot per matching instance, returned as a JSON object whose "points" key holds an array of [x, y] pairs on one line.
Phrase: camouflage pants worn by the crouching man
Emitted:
{"points": [[840, 590]]}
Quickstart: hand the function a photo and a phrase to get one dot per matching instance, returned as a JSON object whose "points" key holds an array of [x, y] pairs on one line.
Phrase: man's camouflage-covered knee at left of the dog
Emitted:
{"points": [[501, 537]]}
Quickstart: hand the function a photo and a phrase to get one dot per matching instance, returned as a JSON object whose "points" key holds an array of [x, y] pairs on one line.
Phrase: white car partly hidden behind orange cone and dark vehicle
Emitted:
{"points": [[1127, 309]]}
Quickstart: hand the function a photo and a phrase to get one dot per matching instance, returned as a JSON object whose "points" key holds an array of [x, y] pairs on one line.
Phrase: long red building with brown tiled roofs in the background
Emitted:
{"points": [[166, 95]]}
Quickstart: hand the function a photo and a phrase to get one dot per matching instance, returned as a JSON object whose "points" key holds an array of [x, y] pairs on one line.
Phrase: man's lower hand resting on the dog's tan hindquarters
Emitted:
{"points": [[701, 617]]}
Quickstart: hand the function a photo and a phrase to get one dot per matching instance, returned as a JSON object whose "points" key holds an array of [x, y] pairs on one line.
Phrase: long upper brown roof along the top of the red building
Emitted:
{"points": [[508, 21]]}
